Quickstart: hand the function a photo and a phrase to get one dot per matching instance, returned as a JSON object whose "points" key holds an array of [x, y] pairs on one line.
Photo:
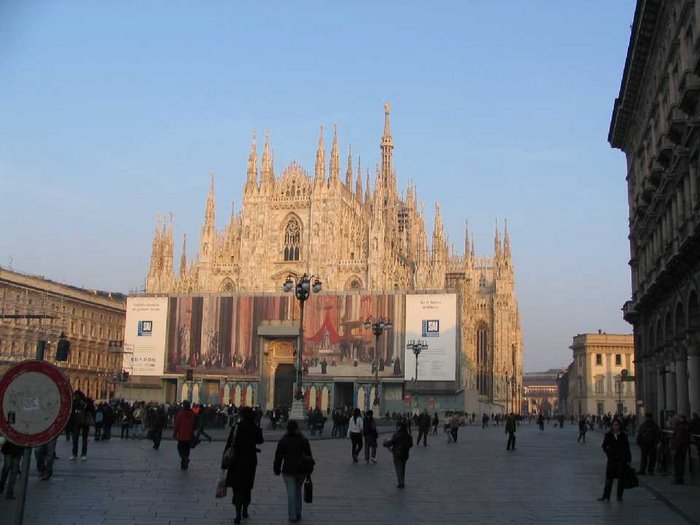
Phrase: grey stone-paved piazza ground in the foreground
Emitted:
{"points": [[550, 478]]}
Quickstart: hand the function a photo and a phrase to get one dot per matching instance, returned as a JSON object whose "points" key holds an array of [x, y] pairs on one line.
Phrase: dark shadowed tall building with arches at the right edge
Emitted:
{"points": [[655, 123]]}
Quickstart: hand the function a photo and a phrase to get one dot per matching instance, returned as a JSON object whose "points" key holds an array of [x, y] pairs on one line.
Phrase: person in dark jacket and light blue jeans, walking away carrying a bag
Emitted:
{"points": [[292, 454]]}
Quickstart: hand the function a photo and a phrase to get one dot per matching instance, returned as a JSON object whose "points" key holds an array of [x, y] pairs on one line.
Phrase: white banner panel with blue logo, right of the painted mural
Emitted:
{"points": [[433, 320]]}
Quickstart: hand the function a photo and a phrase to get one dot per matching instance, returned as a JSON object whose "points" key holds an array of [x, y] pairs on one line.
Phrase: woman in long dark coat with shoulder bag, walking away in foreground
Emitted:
{"points": [[241, 455]]}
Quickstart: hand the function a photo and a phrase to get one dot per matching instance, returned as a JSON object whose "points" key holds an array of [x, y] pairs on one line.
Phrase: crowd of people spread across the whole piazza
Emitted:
{"points": [[293, 457]]}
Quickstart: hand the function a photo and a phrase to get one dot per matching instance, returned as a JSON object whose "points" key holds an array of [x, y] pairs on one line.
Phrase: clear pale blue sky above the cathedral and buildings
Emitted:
{"points": [[114, 112]]}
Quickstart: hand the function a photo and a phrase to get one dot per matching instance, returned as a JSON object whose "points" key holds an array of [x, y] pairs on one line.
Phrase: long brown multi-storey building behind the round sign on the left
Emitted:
{"points": [[33, 308]]}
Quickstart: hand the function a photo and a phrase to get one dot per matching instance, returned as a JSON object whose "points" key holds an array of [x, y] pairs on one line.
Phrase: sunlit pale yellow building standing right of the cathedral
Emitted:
{"points": [[596, 383]]}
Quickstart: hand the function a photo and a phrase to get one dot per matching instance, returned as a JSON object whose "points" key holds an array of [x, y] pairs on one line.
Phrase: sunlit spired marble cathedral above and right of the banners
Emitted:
{"points": [[357, 237]]}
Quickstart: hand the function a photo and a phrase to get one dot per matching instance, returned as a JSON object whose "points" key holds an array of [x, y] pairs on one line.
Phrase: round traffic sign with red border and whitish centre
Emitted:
{"points": [[35, 403]]}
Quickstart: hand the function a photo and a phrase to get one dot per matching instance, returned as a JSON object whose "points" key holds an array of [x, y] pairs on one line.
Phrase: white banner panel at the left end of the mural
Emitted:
{"points": [[146, 330]]}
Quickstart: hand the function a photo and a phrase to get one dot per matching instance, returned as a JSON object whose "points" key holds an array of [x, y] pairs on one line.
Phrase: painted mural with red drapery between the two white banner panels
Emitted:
{"points": [[219, 334]]}
